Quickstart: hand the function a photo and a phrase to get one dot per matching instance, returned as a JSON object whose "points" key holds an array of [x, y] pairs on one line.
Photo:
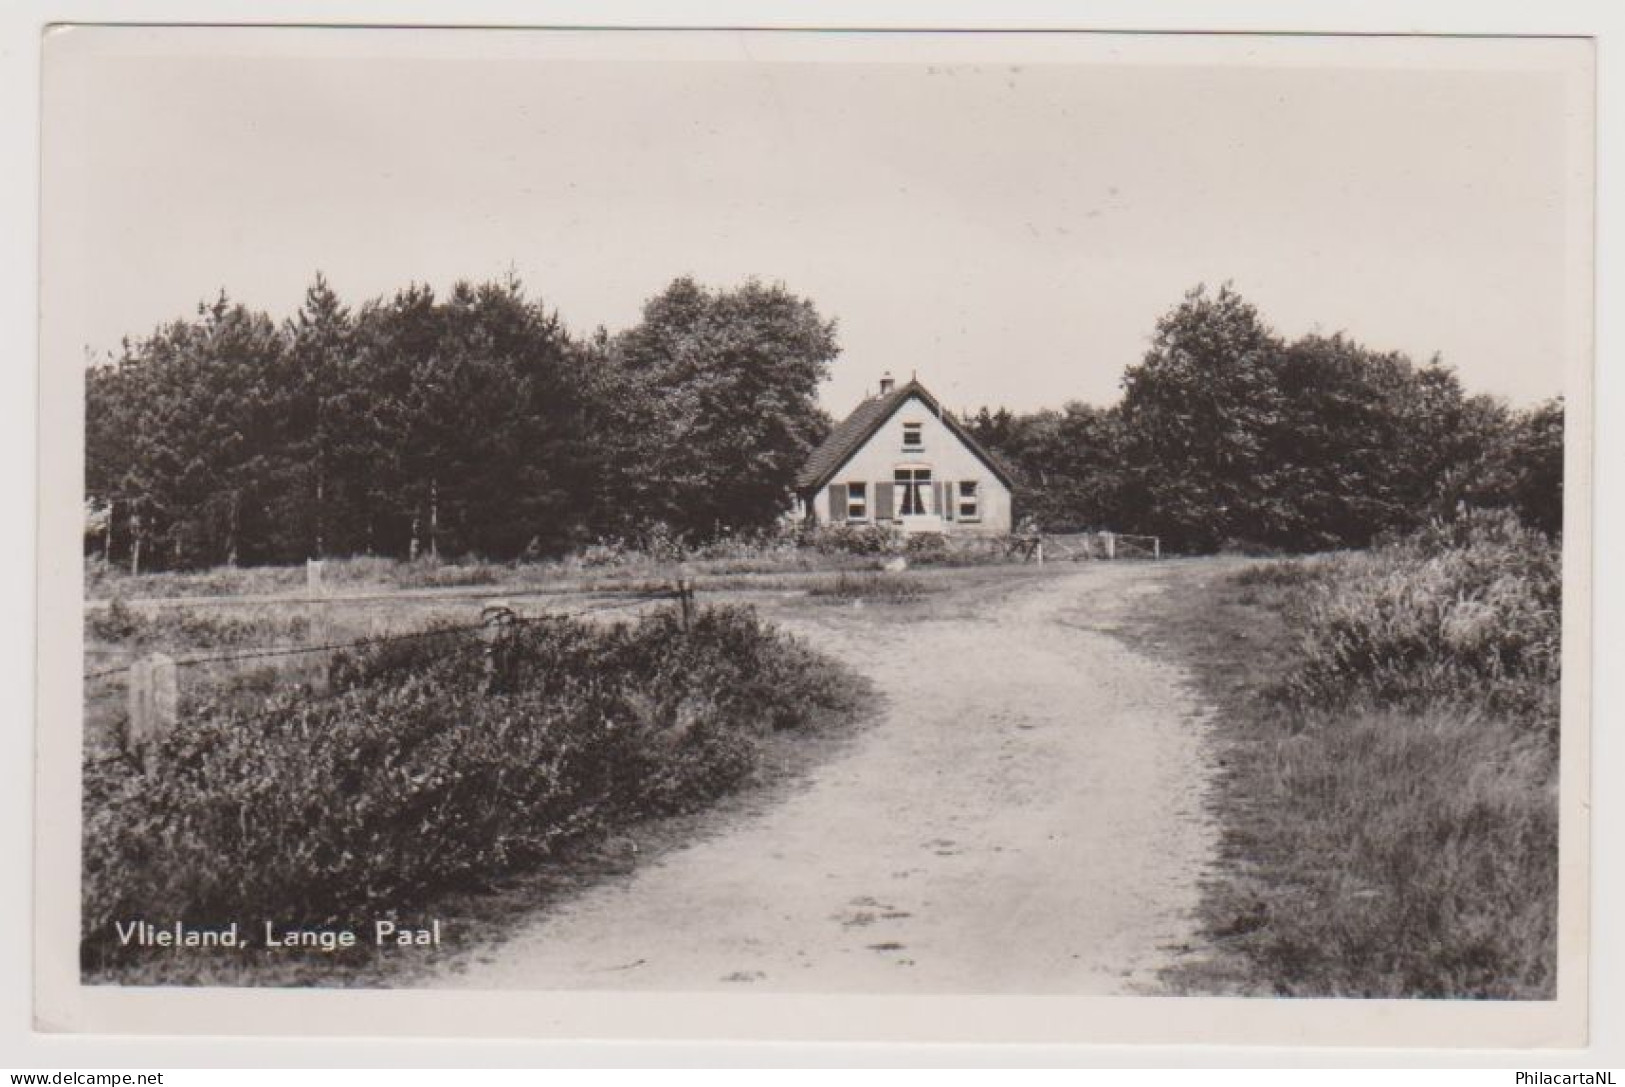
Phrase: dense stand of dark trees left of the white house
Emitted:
{"points": [[461, 425]]}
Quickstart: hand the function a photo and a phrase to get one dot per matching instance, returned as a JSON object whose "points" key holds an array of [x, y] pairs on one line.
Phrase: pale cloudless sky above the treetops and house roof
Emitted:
{"points": [[1007, 219]]}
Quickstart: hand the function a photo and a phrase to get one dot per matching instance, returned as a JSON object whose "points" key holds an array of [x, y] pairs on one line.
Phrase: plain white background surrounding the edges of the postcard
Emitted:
{"points": [[19, 279]]}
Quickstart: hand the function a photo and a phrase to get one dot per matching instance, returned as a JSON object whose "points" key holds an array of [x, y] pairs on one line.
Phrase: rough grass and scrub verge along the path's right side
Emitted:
{"points": [[1389, 799]]}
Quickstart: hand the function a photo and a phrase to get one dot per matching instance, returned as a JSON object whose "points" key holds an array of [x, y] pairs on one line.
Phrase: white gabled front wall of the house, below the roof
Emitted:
{"points": [[942, 453]]}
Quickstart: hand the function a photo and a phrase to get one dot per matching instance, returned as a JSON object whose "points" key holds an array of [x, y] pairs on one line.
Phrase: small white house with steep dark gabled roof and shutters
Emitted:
{"points": [[899, 459]]}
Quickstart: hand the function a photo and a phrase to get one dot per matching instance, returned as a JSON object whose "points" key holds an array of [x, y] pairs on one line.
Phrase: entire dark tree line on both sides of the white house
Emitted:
{"points": [[479, 425]]}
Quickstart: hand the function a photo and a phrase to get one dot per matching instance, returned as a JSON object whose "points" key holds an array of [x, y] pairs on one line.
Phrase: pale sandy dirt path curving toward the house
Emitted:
{"points": [[1025, 818]]}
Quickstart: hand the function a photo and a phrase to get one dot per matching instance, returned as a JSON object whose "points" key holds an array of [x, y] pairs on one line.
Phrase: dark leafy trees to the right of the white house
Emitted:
{"points": [[1228, 435]]}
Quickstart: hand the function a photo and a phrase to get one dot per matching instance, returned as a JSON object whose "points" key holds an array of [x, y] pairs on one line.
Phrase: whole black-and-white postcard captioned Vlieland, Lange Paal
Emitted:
{"points": [[748, 516]]}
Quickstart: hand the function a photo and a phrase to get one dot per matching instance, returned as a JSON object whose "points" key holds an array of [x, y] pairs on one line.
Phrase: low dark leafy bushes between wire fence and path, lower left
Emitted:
{"points": [[438, 764]]}
